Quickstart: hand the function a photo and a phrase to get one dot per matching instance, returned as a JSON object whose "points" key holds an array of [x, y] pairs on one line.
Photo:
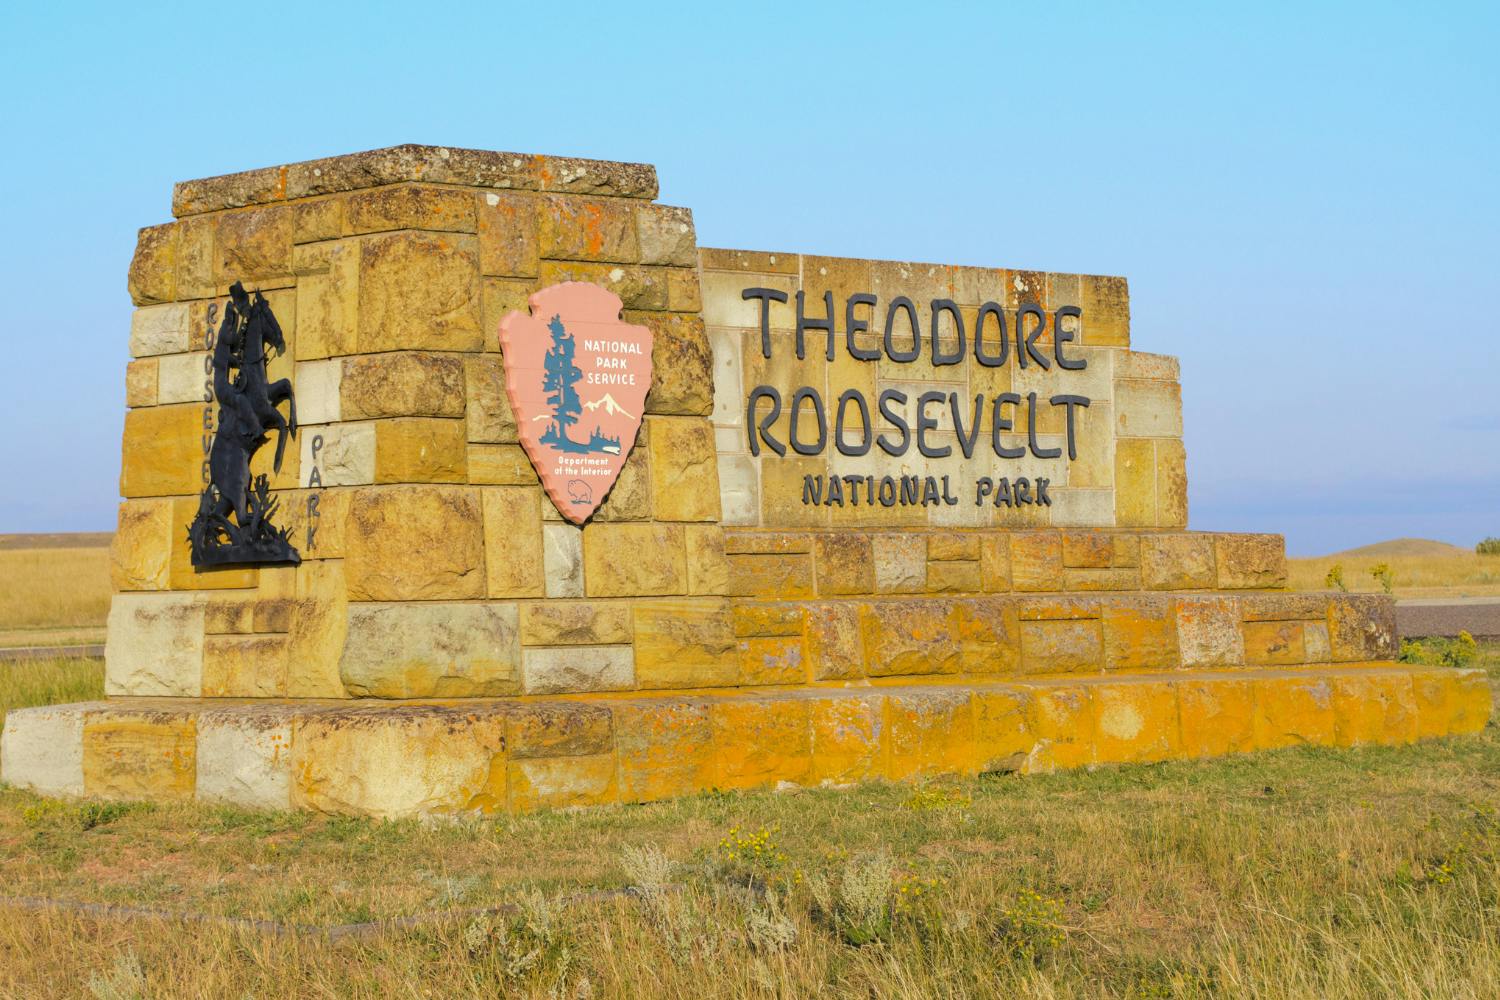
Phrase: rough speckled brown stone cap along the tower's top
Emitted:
{"points": [[431, 164]]}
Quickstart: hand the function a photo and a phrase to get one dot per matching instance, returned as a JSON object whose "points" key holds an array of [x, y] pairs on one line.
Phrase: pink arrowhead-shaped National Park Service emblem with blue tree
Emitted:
{"points": [[578, 379]]}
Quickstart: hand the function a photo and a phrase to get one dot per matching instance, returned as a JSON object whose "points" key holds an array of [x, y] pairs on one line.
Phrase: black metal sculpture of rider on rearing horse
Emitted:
{"points": [[248, 413]]}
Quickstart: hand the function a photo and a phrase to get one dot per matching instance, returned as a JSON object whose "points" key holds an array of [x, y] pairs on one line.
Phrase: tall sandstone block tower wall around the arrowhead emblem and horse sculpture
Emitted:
{"points": [[433, 561]]}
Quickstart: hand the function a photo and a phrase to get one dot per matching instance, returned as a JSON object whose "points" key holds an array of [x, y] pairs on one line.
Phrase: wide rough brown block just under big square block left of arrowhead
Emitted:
{"points": [[403, 385]]}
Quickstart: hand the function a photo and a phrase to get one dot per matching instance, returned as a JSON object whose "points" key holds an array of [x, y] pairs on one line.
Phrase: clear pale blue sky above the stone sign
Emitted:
{"points": [[1304, 197]]}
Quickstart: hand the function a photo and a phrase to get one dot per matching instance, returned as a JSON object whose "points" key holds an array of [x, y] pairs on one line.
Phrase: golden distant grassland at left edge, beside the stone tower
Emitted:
{"points": [[53, 588]]}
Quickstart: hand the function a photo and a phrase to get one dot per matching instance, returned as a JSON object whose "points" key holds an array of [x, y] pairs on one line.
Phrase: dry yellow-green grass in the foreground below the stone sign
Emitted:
{"points": [[1303, 873]]}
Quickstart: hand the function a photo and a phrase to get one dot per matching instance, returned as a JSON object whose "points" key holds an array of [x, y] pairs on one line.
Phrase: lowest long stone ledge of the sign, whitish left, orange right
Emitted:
{"points": [[515, 755]]}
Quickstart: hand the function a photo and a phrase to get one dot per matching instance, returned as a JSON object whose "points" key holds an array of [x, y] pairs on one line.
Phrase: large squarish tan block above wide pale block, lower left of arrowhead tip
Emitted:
{"points": [[388, 525]]}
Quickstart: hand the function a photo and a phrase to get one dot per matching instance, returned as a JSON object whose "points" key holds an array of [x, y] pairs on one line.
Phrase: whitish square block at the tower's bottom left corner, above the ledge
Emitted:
{"points": [[154, 645]]}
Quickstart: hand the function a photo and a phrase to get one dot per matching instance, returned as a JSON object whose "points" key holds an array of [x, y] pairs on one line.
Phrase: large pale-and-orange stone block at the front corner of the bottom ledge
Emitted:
{"points": [[401, 761]]}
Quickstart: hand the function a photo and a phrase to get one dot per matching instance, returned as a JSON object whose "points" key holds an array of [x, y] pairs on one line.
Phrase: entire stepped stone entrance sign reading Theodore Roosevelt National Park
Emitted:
{"points": [[589, 513]]}
